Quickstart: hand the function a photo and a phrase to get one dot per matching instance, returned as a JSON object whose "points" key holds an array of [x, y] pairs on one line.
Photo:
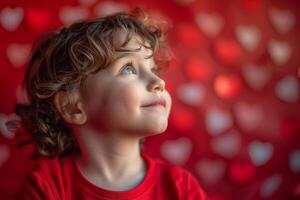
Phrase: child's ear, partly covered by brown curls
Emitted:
{"points": [[71, 110]]}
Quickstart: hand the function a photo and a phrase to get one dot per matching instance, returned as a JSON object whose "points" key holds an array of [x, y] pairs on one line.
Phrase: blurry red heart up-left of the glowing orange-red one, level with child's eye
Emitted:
{"points": [[198, 69]]}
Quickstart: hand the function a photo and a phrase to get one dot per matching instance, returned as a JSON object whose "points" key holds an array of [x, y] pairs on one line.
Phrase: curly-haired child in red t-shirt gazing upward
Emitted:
{"points": [[95, 91]]}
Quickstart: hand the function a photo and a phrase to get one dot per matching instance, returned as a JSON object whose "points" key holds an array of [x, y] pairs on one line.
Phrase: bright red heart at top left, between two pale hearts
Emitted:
{"points": [[38, 19]]}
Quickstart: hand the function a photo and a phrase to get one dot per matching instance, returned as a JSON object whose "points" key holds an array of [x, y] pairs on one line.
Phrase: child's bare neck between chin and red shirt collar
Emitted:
{"points": [[108, 155]]}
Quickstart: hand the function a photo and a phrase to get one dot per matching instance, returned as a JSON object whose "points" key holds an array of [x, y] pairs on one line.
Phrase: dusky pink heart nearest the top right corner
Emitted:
{"points": [[282, 20]]}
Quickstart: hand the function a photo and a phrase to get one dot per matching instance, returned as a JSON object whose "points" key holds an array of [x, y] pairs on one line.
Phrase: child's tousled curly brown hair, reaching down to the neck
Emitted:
{"points": [[63, 60]]}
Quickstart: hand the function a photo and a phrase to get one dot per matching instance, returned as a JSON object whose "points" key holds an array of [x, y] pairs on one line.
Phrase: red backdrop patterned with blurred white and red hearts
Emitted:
{"points": [[235, 120]]}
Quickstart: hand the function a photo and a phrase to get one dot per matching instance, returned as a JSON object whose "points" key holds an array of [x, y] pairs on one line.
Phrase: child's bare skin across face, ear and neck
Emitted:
{"points": [[111, 119]]}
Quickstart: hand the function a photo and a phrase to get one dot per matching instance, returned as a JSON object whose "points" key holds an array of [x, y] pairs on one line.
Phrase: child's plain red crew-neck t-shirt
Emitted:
{"points": [[61, 179]]}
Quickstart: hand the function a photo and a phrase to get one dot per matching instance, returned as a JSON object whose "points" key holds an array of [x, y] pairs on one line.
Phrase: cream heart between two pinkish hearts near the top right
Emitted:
{"points": [[248, 36]]}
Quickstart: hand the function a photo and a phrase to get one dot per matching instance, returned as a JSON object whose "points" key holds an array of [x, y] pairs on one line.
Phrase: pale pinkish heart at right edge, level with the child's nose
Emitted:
{"points": [[287, 89]]}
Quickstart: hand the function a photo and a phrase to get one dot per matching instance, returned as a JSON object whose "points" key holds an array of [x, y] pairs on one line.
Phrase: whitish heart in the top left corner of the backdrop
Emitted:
{"points": [[11, 18]]}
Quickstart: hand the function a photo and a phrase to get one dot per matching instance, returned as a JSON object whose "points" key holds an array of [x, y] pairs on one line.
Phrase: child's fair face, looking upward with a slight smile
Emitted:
{"points": [[118, 94]]}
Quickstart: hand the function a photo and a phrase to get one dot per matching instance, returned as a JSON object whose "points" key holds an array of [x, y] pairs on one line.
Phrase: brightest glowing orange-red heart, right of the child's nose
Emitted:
{"points": [[227, 86]]}
